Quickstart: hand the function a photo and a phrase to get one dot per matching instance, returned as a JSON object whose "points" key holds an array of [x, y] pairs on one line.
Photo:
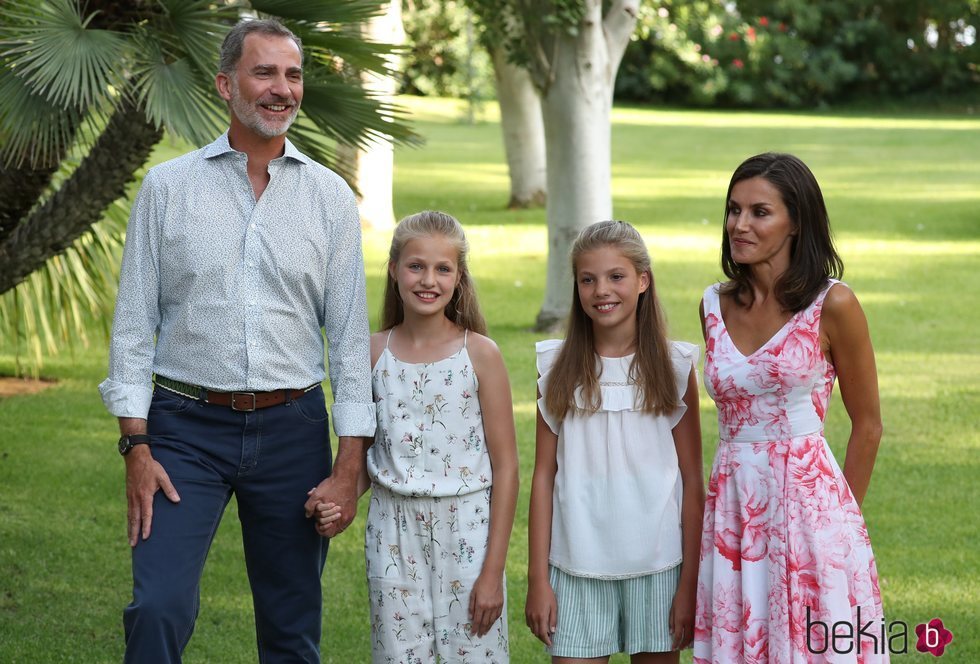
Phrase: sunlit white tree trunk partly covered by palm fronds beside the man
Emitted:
{"points": [[371, 171]]}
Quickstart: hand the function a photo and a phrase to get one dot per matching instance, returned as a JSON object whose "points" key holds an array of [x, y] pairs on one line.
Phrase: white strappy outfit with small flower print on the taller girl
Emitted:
{"points": [[429, 519]]}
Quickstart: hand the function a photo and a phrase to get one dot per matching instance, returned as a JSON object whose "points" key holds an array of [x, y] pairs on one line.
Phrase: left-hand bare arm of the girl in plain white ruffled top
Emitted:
{"points": [[541, 608]]}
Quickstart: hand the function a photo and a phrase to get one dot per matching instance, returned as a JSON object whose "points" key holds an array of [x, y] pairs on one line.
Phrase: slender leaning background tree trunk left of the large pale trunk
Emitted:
{"points": [[523, 129]]}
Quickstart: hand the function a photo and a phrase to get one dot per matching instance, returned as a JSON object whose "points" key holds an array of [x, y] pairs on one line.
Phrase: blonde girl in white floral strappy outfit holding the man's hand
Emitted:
{"points": [[443, 465]]}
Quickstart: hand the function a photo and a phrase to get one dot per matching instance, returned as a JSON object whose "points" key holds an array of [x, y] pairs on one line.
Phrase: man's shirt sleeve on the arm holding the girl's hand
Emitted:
{"points": [[346, 324]]}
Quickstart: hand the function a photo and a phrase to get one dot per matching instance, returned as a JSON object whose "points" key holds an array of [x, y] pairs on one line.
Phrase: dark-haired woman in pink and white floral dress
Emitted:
{"points": [[786, 562]]}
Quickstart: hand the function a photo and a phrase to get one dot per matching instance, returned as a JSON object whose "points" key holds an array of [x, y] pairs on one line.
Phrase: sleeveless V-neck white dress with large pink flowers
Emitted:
{"points": [[786, 562]]}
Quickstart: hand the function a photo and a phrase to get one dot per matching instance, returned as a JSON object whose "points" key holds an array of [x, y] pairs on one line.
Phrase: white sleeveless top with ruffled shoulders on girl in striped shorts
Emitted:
{"points": [[617, 497]]}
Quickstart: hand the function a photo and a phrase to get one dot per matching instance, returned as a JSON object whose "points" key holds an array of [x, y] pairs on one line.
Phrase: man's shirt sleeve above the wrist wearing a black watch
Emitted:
{"points": [[129, 387]]}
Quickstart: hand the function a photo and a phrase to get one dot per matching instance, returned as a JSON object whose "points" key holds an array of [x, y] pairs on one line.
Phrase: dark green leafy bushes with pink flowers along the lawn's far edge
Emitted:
{"points": [[795, 52]]}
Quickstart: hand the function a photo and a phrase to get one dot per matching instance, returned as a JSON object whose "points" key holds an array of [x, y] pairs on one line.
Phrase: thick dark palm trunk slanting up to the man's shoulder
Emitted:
{"points": [[101, 178]]}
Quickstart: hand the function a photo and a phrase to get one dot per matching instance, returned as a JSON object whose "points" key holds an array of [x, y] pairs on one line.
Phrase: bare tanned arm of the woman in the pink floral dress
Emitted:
{"points": [[847, 344]]}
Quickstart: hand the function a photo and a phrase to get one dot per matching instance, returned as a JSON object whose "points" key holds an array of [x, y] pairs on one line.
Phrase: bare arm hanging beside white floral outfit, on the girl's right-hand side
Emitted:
{"points": [[487, 596]]}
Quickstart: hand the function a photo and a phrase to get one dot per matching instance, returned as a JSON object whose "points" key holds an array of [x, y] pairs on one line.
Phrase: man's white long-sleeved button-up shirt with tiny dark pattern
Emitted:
{"points": [[236, 291]]}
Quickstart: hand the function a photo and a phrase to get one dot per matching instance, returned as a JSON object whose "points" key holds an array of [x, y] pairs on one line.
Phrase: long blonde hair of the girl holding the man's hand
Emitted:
{"points": [[463, 309]]}
